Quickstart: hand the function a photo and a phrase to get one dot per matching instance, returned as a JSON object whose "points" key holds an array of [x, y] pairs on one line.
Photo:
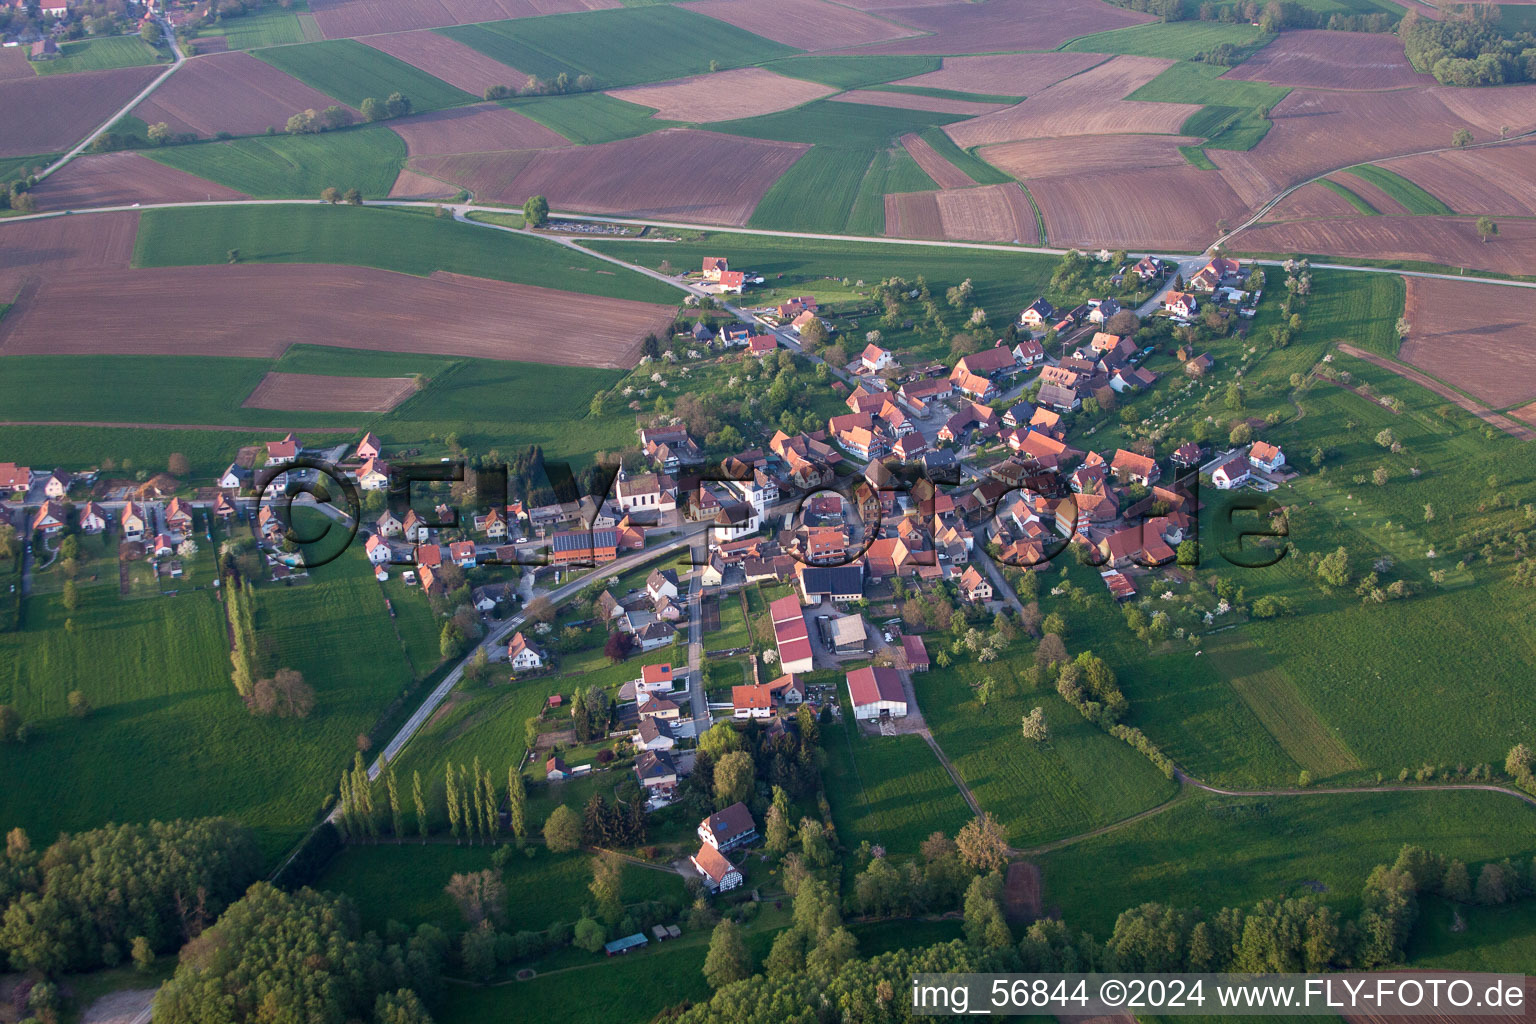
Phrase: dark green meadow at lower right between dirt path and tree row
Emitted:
{"points": [[1225, 851]]}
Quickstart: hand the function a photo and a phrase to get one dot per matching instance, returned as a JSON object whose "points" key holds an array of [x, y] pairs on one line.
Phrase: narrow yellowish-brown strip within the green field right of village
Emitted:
{"points": [[1280, 709]]}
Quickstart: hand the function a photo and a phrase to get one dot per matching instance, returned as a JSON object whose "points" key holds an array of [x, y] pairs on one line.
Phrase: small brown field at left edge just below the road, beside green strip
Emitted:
{"points": [[58, 245]]}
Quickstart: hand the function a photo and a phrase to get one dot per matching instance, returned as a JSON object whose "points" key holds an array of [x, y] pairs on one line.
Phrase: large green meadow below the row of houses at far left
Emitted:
{"points": [[157, 673]]}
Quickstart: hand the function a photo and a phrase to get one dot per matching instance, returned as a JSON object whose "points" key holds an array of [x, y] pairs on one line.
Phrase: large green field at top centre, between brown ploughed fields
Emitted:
{"points": [[583, 44]]}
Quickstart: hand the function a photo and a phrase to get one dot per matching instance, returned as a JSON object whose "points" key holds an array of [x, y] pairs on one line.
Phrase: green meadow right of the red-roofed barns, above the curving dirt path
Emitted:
{"points": [[1081, 779]]}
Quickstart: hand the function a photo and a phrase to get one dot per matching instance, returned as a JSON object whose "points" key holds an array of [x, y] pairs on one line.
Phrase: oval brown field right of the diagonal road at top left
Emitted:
{"points": [[230, 93]]}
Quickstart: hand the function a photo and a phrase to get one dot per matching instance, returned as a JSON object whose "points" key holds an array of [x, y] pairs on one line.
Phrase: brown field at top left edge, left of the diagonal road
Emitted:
{"points": [[48, 114]]}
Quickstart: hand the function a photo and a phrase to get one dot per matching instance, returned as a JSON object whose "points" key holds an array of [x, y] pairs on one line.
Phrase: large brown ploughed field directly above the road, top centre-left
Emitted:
{"points": [[684, 174]]}
